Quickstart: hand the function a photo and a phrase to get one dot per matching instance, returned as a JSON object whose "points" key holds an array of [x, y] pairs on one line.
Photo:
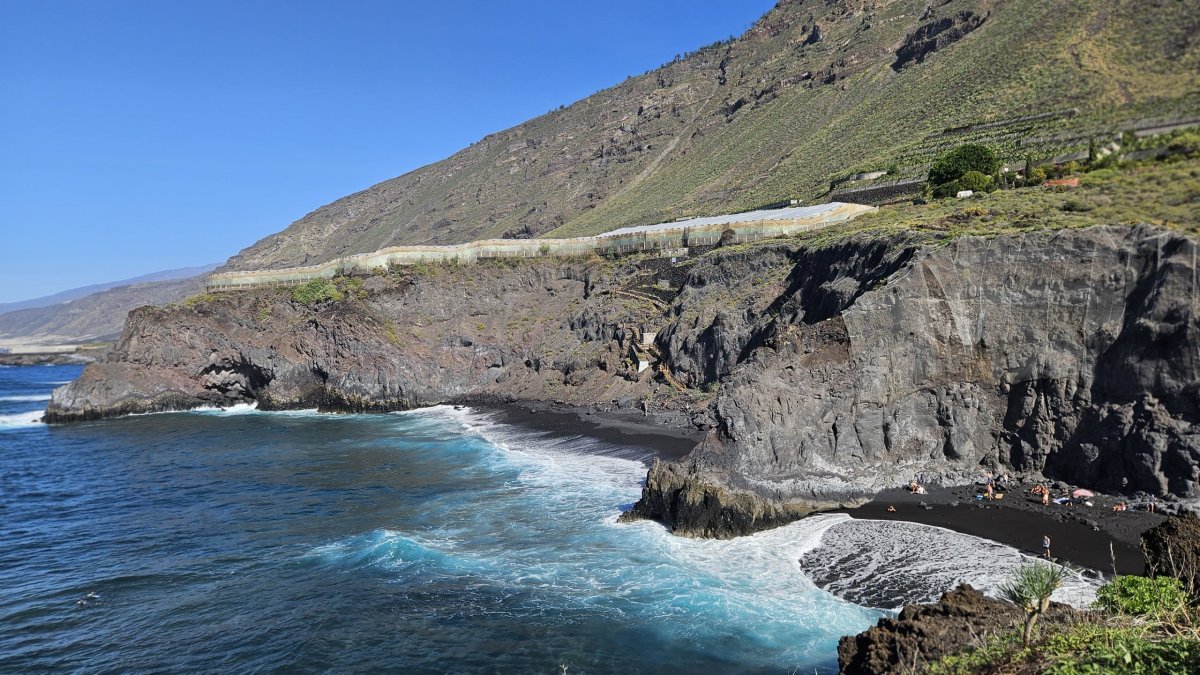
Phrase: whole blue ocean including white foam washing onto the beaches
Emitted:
{"points": [[423, 542]]}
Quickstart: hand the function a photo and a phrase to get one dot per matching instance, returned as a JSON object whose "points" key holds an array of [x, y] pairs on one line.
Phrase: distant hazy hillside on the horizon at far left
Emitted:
{"points": [[98, 316]]}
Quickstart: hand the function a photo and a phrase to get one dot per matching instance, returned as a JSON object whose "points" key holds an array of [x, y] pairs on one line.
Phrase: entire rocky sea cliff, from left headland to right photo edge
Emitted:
{"points": [[824, 374]]}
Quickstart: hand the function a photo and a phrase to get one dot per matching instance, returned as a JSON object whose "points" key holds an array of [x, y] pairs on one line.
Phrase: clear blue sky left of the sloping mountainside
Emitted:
{"points": [[140, 136]]}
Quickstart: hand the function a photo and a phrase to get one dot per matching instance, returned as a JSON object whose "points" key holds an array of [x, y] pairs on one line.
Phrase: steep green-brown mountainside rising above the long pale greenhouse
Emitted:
{"points": [[813, 92]]}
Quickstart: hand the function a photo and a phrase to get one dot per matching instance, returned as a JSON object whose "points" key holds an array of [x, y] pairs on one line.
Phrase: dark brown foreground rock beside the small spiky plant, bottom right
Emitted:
{"points": [[923, 634]]}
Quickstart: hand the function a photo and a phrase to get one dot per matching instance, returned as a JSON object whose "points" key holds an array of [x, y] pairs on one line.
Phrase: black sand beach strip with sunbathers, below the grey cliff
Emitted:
{"points": [[1078, 534]]}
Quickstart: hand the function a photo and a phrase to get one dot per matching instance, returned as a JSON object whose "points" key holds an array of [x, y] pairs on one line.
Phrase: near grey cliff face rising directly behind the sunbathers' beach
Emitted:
{"points": [[1073, 355]]}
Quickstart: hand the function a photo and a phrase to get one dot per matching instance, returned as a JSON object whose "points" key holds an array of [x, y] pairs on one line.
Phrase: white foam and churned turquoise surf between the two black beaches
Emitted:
{"points": [[577, 487]]}
